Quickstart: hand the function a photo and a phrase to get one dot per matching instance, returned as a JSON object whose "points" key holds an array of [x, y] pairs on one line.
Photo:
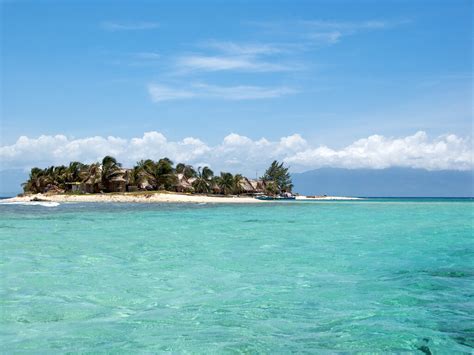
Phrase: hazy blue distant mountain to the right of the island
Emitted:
{"points": [[399, 182]]}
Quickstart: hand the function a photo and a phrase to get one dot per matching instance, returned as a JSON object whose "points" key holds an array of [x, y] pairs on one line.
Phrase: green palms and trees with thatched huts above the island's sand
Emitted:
{"points": [[149, 175]]}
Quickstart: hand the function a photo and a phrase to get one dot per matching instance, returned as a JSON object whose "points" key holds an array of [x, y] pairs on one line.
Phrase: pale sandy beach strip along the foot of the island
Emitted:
{"points": [[153, 197]]}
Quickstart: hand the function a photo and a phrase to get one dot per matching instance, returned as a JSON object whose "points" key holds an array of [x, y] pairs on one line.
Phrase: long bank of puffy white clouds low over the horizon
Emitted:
{"points": [[243, 154]]}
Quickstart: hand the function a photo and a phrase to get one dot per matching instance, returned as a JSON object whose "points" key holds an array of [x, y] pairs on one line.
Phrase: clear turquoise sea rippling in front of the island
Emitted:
{"points": [[371, 276]]}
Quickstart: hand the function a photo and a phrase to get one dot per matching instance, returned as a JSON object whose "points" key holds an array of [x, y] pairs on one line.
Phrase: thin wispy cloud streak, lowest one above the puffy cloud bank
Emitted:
{"points": [[160, 93]]}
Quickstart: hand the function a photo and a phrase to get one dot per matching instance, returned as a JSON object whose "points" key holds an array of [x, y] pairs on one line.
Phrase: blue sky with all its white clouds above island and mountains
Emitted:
{"points": [[235, 84]]}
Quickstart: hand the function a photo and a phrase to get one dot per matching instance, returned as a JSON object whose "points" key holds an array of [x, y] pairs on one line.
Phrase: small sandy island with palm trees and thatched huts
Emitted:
{"points": [[155, 182]]}
